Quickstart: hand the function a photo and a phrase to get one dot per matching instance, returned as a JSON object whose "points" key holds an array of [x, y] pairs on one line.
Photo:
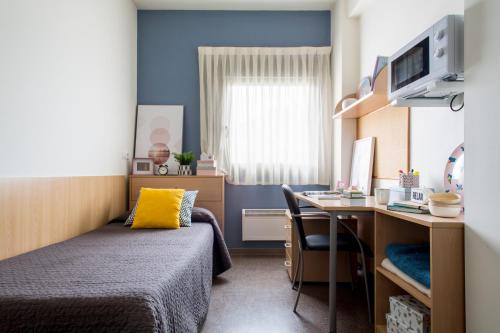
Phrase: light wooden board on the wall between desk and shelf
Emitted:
{"points": [[391, 128]]}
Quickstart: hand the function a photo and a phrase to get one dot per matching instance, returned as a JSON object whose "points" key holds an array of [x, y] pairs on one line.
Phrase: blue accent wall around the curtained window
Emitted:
{"points": [[168, 74]]}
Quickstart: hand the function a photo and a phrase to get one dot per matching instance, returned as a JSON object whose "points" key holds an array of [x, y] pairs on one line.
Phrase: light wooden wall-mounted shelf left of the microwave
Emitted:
{"points": [[374, 101]]}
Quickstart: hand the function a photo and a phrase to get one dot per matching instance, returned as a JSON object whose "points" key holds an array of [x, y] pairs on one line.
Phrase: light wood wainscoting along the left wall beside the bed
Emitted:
{"points": [[36, 212]]}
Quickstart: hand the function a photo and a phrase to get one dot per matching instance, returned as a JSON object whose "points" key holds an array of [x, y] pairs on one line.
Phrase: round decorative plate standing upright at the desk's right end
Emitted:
{"points": [[454, 172]]}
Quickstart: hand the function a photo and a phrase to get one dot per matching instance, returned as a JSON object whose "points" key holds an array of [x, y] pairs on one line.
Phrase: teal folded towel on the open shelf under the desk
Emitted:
{"points": [[412, 259]]}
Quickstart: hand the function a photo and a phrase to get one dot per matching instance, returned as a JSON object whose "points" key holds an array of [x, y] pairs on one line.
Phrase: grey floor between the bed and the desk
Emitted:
{"points": [[256, 296]]}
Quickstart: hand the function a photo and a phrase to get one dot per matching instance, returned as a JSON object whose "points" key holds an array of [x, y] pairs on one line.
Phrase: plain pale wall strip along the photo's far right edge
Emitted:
{"points": [[482, 233]]}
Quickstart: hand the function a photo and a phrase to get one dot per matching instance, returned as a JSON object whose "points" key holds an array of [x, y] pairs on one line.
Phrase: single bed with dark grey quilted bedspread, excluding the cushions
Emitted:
{"points": [[116, 279]]}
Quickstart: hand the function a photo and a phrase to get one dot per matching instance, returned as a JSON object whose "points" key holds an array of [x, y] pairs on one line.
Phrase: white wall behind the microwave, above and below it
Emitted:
{"points": [[385, 26]]}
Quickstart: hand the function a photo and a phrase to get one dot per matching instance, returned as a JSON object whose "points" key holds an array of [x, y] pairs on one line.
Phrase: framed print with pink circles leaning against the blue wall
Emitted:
{"points": [[158, 133]]}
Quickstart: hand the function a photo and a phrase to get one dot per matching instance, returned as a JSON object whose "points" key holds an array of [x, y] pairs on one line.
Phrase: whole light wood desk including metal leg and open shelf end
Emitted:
{"points": [[446, 238]]}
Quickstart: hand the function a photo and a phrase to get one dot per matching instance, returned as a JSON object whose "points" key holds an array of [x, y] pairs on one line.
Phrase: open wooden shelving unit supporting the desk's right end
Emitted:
{"points": [[446, 238]]}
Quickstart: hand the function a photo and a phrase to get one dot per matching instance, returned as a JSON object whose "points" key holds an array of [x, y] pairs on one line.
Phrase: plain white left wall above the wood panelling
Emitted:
{"points": [[67, 86]]}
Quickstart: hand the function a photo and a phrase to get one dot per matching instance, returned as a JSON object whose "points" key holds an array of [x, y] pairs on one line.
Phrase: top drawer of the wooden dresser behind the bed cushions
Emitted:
{"points": [[209, 188]]}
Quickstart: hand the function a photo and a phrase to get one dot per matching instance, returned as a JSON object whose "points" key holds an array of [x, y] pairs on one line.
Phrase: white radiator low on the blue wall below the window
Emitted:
{"points": [[263, 224]]}
